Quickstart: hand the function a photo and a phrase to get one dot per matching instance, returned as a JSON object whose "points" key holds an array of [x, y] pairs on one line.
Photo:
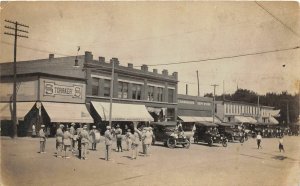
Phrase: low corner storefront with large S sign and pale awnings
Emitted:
{"points": [[43, 99]]}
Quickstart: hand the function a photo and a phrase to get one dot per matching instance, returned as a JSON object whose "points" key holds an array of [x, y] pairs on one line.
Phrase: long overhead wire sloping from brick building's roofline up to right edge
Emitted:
{"points": [[225, 57]]}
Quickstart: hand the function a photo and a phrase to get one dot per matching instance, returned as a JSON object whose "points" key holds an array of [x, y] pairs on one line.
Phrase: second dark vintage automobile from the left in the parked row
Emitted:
{"points": [[208, 133]]}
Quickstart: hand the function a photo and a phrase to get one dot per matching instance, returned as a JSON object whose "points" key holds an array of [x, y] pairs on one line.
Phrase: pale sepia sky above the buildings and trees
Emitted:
{"points": [[166, 32]]}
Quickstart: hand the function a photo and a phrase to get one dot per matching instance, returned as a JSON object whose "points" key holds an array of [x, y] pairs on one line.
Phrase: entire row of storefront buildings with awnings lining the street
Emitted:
{"points": [[53, 90]]}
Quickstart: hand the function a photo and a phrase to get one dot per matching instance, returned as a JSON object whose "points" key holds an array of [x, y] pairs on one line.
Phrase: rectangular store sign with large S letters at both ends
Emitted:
{"points": [[53, 89]]}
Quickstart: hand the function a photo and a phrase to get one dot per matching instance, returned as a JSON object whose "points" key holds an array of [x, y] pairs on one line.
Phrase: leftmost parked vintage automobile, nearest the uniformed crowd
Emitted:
{"points": [[166, 132]]}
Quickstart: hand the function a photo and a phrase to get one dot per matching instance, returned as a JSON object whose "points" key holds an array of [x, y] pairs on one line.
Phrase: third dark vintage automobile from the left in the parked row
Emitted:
{"points": [[232, 132]]}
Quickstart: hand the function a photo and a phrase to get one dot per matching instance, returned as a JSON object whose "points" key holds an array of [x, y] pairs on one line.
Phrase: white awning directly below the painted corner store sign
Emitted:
{"points": [[67, 112]]}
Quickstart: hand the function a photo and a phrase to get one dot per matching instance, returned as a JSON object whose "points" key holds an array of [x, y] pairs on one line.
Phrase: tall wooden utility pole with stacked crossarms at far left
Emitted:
{"points": [[16, 34]]}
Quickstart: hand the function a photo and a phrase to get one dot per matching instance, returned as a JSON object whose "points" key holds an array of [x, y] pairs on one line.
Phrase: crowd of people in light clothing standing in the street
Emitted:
{"points": [[77, 141]]}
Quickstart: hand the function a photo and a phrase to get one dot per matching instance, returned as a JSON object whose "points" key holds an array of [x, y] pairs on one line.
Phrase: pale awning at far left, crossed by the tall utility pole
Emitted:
{"points": [[22, 109]]}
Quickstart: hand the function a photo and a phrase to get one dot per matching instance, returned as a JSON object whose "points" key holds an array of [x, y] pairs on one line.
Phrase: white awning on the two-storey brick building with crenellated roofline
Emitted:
{"points": [[122, 112]]}
